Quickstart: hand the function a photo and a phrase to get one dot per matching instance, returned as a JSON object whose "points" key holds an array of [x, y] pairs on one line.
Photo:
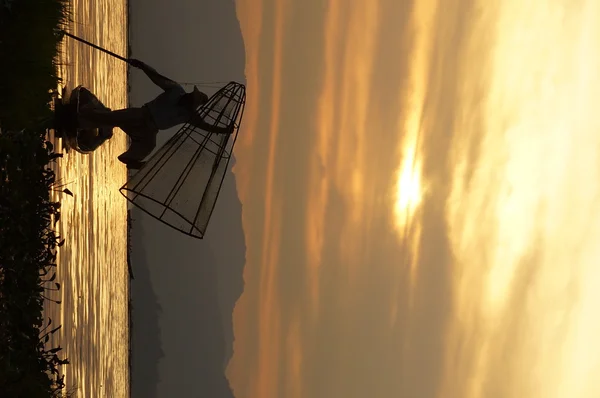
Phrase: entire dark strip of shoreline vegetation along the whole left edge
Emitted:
{"points": [[30, 32]]}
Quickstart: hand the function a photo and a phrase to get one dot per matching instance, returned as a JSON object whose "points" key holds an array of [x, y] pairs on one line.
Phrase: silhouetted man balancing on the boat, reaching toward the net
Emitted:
{"points": [[172, 107]]}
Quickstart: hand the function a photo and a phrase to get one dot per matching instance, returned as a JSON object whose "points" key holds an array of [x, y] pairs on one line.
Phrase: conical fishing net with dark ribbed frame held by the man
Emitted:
{"points": [[180, 183]]}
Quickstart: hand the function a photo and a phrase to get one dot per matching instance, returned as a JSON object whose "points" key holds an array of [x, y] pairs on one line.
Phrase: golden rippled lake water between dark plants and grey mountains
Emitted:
{"points": [[92, 265]]}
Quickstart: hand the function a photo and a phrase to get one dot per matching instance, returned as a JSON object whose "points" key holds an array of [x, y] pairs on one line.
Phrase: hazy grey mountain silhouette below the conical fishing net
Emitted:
{"points": [[198, 290]]}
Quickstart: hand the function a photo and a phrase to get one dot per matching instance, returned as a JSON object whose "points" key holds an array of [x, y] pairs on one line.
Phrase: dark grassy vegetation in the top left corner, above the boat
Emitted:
{"points": [[31, 33]]}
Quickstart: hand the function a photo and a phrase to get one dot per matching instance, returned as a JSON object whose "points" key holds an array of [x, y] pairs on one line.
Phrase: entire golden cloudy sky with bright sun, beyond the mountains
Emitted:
{"points": [[420, 199]]}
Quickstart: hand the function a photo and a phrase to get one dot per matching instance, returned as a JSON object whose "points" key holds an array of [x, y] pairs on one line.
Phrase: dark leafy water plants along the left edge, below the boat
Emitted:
{"points": [[28, 244]]}
